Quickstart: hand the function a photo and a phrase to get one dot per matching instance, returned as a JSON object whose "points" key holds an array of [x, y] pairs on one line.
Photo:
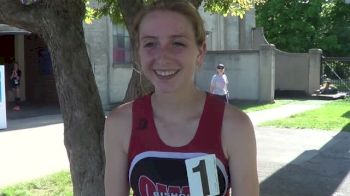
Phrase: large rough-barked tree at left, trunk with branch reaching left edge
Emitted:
{"points": [[59, 23]]}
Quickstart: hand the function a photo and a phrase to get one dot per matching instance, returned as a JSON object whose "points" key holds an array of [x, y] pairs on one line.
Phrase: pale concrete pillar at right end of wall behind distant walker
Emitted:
{"points": [[266, 73]]}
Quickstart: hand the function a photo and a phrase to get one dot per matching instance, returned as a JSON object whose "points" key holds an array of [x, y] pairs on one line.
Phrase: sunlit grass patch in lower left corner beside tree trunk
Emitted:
{"points": [[58, 184]]}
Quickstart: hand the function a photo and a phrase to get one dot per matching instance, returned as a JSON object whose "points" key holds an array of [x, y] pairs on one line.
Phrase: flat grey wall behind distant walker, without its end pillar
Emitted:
{"points": [[241, 68]]}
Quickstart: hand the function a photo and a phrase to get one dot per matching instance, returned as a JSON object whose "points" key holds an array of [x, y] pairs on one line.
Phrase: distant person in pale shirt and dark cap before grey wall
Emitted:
{"points": [[219, 82]]}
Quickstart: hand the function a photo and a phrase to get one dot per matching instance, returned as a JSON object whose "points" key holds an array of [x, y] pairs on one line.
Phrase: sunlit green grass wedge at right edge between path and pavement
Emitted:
{"points": [[334, 116]]}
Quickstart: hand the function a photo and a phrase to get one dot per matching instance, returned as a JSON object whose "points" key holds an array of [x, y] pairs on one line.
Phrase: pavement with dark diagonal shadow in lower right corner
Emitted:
{"points": [[303, 162]]}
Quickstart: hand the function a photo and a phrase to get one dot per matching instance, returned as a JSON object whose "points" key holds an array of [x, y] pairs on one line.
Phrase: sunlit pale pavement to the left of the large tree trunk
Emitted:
{"points": [[32, 152]]}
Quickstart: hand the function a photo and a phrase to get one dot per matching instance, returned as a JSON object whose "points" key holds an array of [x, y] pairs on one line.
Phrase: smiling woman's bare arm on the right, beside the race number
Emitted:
{"points": [[239, 144]]}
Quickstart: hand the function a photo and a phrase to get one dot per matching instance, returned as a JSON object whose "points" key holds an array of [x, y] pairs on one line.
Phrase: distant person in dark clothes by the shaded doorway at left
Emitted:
{"points": [[15, 81]]}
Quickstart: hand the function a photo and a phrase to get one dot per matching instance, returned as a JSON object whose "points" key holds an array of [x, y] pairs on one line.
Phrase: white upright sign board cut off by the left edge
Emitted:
{"points": [[3, 122]]}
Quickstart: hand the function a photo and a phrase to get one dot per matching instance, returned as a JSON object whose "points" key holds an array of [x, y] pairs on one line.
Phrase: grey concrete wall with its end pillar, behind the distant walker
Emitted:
{"points": [[250, 73]]}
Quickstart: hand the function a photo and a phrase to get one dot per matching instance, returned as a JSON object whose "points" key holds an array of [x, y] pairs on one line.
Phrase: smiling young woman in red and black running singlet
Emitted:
{"points": [[148, 140]]}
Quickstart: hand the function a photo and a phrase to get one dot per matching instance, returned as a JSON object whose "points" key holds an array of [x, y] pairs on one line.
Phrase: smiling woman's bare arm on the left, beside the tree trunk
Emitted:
{"points": [[116, 142]]}
